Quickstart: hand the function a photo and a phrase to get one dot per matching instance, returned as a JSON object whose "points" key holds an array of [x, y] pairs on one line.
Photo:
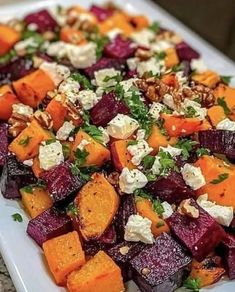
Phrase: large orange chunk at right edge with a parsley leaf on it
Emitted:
{"points": [[222, 192]]}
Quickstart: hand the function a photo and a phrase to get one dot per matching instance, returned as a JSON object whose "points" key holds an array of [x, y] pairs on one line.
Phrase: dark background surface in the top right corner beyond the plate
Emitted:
{"points": [[214, 20]]}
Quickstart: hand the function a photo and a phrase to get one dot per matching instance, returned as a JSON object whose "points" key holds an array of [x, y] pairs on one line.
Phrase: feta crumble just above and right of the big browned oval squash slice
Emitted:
{"points": [[131, 180]]}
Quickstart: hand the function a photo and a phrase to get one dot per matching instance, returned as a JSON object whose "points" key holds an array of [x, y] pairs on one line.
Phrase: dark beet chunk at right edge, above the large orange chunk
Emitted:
{"points": [[219, 141]]}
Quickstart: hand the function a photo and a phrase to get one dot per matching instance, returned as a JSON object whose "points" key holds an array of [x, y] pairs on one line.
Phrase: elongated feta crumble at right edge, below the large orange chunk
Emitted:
{"points": [[222, 214]]}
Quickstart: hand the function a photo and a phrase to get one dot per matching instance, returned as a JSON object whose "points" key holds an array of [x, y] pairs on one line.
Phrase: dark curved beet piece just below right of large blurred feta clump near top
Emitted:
{"points": [[118, 64]]}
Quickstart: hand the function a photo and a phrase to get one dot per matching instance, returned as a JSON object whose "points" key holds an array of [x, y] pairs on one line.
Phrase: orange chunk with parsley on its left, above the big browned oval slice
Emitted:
{"points": [[98, 154]]}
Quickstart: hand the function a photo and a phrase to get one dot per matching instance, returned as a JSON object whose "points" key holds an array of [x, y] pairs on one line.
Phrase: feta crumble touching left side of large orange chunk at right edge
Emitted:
{"points": [[193, 176]]}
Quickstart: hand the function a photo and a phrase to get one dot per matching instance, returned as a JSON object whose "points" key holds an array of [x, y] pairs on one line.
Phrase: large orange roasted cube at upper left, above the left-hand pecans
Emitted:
{"points": [[32, 88]]}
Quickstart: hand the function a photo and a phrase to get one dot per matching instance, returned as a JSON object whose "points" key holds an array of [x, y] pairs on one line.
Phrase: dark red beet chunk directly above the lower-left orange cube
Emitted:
{"points": [[49, 224]]}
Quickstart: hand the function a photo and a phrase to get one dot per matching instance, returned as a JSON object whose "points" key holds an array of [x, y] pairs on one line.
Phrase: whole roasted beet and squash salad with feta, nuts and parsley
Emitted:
{"points": [[119, 143]]}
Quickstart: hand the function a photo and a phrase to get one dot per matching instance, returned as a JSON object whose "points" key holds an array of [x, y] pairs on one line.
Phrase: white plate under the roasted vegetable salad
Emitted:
{"points": [[23, 257]]}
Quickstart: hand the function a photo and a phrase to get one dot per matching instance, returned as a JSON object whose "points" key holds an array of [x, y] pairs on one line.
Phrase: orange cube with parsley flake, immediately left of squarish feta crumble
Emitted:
{"points": [[26, 144]]}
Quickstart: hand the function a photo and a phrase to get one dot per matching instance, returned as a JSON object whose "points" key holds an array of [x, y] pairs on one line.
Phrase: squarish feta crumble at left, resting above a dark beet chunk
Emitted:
{"points": [[50, 155]]}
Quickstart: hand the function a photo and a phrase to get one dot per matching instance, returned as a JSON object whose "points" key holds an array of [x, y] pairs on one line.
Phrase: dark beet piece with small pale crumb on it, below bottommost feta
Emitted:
{"points": [[122, 253]]}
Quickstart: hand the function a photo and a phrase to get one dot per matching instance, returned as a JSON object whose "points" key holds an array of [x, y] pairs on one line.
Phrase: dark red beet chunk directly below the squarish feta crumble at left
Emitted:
{"points": [[61, 183]]}
